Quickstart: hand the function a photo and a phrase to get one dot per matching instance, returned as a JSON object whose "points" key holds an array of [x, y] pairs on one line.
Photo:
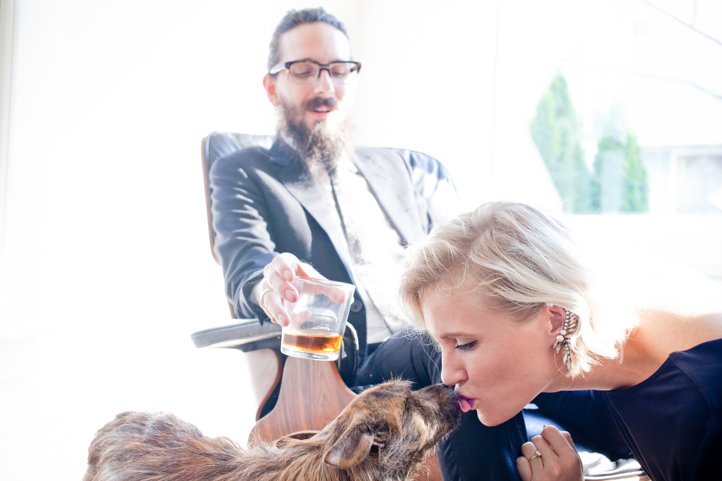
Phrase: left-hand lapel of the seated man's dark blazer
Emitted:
{"points": [[296, 178]]}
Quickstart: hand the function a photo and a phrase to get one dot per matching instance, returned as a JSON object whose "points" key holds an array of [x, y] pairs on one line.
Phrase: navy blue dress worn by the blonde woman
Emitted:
{"points": [[672, 421]]}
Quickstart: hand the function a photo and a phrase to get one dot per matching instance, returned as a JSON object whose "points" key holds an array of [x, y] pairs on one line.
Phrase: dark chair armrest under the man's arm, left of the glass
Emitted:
{"points": [[246, 335]]}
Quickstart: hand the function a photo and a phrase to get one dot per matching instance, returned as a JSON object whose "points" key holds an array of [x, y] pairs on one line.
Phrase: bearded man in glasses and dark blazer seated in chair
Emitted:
{"points": [[314, 204]]}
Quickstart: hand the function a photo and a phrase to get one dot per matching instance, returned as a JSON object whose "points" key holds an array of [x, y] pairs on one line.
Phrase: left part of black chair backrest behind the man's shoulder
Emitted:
{"points": [[217, 145]]}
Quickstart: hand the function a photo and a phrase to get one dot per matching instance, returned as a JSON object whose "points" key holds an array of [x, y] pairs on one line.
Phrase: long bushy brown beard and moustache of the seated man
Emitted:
{"points": [[321, 145]]}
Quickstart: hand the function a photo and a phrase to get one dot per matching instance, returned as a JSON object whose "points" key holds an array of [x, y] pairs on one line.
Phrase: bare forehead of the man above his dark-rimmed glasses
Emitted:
{"points": [[318, 41]]}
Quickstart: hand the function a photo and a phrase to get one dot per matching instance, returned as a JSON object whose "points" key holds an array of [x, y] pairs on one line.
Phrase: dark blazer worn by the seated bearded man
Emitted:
{"points": [[264, 203]]}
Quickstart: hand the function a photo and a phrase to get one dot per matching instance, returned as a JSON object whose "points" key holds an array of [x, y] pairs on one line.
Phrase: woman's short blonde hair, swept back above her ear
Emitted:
{"points": [[518, 259]]}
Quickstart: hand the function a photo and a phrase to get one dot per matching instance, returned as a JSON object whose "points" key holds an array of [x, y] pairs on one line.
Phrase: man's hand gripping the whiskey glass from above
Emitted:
{"points": [[276, 285]]}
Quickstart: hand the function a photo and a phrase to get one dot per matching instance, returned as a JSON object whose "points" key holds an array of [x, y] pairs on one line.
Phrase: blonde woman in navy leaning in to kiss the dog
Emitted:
{"points": [[503, 292]]}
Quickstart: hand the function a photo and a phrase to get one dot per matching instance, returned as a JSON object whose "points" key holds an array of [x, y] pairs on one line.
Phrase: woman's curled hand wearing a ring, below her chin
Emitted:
{"points": [[550, 456]]}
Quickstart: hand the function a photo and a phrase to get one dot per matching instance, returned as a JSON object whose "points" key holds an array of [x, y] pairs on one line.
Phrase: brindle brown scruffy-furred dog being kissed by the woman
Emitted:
{"points": [[382, 435]]}
